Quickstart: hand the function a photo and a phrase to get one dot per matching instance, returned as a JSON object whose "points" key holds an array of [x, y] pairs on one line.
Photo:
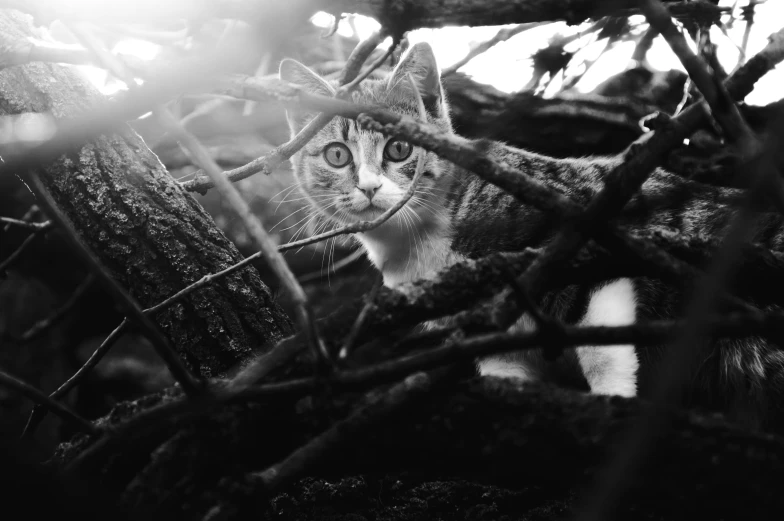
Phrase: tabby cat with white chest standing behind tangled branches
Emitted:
{"points": [[350, 174]]}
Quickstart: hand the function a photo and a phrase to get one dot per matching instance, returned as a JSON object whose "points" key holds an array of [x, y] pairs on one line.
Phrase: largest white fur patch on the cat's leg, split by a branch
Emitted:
{"points": [[611, 369]]}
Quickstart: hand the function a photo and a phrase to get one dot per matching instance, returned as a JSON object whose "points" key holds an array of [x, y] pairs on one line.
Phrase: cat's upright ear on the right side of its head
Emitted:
{"points": [[421, 63]]}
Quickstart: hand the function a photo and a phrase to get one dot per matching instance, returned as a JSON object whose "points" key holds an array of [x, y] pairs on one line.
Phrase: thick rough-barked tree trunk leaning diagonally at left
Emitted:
{"points": [[153, 237]]}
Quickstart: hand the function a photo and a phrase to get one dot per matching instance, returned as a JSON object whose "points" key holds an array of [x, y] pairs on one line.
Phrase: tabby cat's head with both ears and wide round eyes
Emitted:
{"points": [[351, 174]]}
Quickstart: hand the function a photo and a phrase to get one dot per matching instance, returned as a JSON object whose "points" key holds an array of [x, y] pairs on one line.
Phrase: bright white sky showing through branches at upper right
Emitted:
{"points": [[507, 68]]}
